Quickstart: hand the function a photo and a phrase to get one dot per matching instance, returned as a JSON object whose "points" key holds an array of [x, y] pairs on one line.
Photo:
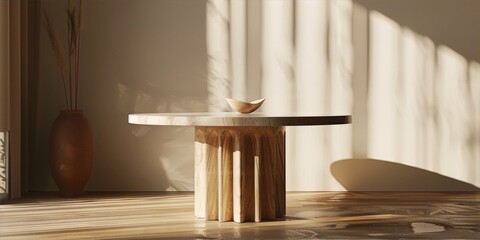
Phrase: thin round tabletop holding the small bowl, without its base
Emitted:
{"points": [[231, 119]]}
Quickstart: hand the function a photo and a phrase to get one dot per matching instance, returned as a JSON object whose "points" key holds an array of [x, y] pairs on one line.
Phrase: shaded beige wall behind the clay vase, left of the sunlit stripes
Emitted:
{"points": [[137, 56]]}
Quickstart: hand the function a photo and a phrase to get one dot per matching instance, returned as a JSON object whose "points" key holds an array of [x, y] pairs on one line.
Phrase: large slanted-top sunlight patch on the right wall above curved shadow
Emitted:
{"points": [[420, 102]]}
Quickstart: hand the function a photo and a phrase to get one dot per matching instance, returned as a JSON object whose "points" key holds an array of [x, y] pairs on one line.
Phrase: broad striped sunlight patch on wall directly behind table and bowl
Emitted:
{"points": [[304, 51]]}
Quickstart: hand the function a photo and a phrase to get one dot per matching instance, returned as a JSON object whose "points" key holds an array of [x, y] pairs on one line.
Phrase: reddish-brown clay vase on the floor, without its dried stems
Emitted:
{"points": [[71, 152]]}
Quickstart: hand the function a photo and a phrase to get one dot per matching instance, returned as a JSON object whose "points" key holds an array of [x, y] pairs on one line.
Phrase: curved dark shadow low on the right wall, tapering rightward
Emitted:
{"points": [[380, 175]]}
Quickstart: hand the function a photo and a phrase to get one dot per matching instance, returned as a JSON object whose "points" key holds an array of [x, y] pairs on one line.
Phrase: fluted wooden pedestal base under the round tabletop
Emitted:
{"points": [[240, 173]]}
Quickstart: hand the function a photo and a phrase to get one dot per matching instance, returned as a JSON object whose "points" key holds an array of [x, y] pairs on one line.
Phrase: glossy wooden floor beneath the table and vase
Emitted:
{"points": [[312, 215]]}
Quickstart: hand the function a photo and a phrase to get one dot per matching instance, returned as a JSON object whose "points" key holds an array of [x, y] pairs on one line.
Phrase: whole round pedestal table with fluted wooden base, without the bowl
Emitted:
{"points": [[239, 160]]}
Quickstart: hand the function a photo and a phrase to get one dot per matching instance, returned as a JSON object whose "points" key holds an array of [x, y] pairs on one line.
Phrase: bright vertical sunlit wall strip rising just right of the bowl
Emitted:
{"points": [[277, 56]]}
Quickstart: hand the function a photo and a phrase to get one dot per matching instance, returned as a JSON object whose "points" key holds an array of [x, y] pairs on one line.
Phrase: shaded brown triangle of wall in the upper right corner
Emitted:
{"points": [[446, 22]]}
